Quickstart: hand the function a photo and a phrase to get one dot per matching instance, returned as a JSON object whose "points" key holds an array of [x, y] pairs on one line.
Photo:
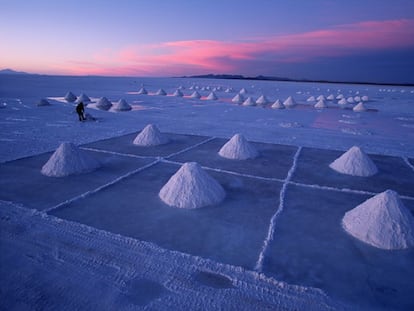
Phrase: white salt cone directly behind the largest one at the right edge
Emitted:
{"points": [[354, 162]]}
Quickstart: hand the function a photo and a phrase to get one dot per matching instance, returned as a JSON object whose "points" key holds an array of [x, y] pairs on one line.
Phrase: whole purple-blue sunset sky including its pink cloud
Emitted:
{"points": [[353, 40]]}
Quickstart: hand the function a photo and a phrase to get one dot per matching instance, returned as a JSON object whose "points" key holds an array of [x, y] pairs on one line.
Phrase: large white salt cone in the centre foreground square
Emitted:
{"points": [[191, 187]]}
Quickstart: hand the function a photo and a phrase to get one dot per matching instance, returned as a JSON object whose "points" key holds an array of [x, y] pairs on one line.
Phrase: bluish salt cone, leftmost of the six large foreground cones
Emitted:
{"points": [[68, 159]]}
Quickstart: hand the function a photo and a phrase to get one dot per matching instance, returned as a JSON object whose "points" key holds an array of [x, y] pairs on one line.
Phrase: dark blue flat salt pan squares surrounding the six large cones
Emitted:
{"points": [[309, 247]]}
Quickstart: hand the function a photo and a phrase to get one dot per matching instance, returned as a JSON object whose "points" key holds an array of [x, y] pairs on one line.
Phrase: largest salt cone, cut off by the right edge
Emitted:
{"points": [[382, 221]]}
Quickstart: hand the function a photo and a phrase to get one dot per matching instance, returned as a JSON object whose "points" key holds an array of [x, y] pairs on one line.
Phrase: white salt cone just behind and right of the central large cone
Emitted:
{"points": [[238, 148]]}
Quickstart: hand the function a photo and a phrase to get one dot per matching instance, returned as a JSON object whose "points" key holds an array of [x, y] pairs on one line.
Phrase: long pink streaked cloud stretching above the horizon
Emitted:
{"points": [[202, 56]]}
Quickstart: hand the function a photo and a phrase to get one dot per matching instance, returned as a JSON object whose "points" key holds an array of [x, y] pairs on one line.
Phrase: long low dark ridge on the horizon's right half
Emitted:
{"points": [[283, 79]]}
